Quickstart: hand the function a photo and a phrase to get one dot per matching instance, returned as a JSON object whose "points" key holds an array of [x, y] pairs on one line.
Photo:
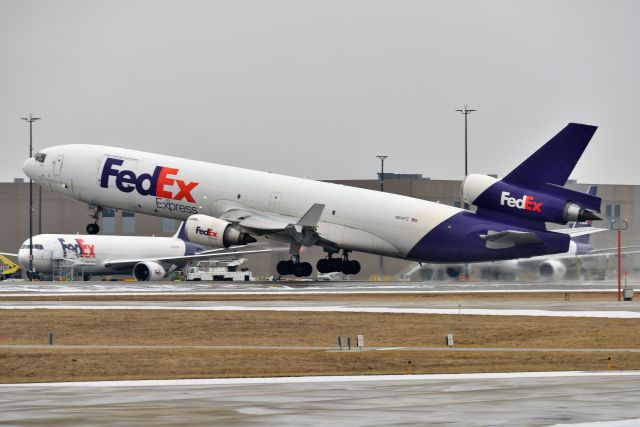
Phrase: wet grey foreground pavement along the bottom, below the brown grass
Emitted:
{"points": [[538, 399]]}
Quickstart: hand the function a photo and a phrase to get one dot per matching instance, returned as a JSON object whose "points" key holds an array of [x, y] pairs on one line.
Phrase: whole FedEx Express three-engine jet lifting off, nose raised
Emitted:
{"points": [[225, 205]]}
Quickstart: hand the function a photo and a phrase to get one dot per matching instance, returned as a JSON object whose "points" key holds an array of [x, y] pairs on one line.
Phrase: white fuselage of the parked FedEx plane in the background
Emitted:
{"points": [[91, 252]]}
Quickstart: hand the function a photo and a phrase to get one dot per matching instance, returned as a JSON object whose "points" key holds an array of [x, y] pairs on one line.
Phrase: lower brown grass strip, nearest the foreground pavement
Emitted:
{"points": [[46, 365]]}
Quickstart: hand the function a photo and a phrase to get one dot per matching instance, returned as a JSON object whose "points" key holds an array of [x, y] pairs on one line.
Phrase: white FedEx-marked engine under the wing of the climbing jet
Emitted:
{"points": [[215, 232]]}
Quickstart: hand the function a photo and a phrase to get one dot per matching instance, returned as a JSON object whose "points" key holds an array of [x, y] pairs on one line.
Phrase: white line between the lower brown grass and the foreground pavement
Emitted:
{"points": [[332, 379]]}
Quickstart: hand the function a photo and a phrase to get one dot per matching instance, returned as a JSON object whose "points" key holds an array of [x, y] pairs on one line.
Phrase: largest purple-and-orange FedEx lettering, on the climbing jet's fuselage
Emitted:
{"points": [[160, 183]]}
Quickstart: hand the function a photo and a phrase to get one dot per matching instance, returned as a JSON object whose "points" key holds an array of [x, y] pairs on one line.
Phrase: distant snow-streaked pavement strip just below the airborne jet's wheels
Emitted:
{"points": [[10, 288]]}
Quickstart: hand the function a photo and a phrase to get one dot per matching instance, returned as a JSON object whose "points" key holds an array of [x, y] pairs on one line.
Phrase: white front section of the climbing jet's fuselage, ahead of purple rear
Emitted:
{"points": [[353, 218]]}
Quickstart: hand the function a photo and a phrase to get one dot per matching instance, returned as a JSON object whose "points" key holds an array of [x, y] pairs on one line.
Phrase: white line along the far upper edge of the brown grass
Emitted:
{"points": [[341, 309]]}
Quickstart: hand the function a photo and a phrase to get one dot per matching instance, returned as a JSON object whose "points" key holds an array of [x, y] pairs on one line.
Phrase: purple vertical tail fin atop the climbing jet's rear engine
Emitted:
{"points": [[554, 161]]}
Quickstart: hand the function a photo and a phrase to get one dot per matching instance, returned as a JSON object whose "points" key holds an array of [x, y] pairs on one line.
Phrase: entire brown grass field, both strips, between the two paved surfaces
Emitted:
{"points": [[159, 327]]}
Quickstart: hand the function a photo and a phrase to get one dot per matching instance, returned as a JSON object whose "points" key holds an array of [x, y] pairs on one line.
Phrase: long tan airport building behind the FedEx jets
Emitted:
{"points": [[53, 213]]}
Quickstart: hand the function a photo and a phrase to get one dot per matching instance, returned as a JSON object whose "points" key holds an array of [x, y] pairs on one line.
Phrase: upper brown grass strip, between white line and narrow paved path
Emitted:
{"points": [[169, 327]]}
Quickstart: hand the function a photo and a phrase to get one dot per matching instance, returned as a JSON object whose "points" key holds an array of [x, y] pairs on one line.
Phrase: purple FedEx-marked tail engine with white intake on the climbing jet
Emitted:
{"points": [[548, 203]]}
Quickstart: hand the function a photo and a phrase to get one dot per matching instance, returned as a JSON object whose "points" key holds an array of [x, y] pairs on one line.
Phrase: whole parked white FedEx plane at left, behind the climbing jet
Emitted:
{"points": [[146, 258]]}
